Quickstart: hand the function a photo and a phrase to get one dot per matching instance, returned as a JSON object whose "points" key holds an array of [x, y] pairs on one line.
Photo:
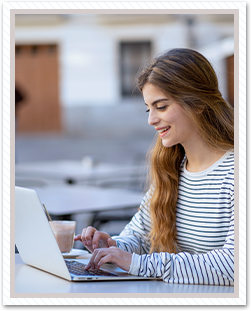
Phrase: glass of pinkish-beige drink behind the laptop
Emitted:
{"points": [[64, 232]]}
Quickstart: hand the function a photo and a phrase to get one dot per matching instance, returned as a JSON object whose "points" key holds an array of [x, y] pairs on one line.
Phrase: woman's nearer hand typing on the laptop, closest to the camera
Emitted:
{"points": [[112, 254]]}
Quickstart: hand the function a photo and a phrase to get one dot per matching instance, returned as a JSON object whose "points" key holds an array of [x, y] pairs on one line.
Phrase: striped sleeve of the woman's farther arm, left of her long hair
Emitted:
{"points": [[134, 237]]}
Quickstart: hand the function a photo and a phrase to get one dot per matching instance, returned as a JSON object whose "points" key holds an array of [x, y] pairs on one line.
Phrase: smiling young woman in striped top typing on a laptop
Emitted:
{"points": [[184, 229]]}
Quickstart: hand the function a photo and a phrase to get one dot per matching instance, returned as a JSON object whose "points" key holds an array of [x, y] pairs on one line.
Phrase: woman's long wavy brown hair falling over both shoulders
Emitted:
{"points": [[190, 79]]}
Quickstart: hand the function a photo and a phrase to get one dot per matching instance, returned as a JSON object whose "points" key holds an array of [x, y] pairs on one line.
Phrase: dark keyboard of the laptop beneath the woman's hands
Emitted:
{"points": [[77, 268]]}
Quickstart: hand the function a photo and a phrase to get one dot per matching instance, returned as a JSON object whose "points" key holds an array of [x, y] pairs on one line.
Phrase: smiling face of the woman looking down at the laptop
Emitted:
{"points": [[168, 118]]}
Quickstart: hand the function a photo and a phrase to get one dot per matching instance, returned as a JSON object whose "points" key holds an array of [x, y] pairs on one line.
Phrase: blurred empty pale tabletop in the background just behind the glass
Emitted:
{"points": [[68, 199]]}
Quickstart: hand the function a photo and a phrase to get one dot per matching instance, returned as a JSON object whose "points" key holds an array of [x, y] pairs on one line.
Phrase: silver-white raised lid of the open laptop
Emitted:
{"points": [[33, 236]]}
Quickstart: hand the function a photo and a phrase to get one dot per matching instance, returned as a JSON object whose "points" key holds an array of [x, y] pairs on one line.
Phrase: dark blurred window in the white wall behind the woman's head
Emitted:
{"points": [[132, 56]]}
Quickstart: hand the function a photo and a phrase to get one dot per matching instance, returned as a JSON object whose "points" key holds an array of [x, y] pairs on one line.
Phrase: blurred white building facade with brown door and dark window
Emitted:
{"points": [[77, 69]]}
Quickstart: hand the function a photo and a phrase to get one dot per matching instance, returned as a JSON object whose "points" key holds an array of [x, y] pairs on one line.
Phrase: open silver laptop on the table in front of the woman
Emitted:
{"points": [[37, 245]]}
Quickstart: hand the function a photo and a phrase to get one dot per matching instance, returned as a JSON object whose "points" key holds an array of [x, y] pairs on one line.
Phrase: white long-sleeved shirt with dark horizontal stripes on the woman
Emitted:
{"points": [[205, 230]]}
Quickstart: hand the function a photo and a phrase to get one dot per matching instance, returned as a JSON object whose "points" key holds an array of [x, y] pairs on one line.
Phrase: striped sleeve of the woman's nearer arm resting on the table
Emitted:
{"points": [[213, 268]]}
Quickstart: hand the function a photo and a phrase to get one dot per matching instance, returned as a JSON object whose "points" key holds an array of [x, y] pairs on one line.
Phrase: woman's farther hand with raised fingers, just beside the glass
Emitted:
{"points": [[92, 239]]}
